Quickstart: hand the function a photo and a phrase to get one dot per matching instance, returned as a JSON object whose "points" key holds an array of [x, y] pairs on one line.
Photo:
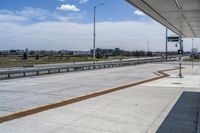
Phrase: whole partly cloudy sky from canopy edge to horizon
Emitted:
{"points": [[68, 24]]}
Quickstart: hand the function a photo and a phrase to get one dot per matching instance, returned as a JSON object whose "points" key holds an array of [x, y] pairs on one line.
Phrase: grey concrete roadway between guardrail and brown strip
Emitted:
{"points": [[20, 94]]}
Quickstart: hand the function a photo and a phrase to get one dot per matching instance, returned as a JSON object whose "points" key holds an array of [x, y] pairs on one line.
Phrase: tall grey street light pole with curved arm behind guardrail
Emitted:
{"points": [[94, 35]]}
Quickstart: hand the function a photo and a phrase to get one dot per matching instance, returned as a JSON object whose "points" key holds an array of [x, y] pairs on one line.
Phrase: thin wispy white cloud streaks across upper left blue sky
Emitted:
{"points": [[33, 15]]}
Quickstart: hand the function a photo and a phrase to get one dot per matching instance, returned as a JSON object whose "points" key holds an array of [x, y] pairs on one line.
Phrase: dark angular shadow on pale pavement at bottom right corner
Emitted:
{"points": [[183, 118]]}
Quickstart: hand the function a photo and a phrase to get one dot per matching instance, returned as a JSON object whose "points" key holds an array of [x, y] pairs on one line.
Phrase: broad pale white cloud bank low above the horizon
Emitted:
{"points": [[65, 35]]}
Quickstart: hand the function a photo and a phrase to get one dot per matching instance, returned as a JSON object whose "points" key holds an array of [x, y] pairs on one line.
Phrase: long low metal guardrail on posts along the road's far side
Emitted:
{"points": [[7, 74]]}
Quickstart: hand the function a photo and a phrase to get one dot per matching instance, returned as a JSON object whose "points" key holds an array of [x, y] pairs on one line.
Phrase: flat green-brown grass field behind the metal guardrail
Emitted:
{"points": [[17, 61]]}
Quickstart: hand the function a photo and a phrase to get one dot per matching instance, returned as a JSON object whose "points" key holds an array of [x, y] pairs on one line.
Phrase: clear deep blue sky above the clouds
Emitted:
{"points": [[113, 10]]}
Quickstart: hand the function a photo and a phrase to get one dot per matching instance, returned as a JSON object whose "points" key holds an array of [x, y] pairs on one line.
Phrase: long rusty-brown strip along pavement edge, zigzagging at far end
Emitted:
{"points": [[61, 103]]}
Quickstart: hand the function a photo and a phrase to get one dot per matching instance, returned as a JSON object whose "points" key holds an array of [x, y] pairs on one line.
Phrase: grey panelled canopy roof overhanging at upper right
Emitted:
{"points": [[180, 16]]}
